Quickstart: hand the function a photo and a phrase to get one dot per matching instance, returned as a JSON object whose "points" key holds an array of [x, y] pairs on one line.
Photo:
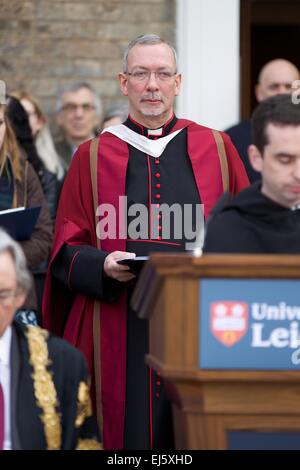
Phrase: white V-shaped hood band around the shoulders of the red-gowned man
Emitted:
{"points": [[154, 148]]}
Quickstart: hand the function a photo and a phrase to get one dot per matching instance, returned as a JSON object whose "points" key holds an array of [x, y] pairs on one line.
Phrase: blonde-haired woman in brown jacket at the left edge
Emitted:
{"points": [[20, 187]]}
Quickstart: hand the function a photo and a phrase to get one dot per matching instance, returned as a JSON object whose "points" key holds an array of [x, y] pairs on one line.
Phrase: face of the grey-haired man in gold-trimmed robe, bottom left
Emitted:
{"points": [[10, 299]]}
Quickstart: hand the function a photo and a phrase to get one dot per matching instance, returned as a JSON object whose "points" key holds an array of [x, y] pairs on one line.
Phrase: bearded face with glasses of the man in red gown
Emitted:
{"points": [[152, 97]]}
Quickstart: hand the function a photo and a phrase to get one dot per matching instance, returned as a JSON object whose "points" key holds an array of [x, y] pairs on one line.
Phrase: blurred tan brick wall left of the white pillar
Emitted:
{"points": [[45, 44]]}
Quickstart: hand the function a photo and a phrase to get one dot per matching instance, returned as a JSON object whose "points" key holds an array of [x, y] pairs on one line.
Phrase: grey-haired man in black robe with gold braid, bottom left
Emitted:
{"points": [[44, 393]]}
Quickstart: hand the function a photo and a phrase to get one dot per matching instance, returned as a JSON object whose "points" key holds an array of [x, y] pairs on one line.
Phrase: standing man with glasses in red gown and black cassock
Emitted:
{"points": [[151, 160]]}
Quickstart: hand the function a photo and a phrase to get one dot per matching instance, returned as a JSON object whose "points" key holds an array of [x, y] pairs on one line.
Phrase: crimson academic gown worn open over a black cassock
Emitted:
{"points": [[75, 225]]}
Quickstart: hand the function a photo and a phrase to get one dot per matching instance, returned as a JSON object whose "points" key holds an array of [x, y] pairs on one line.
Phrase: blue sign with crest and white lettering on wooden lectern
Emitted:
{"points": [[249, 324]]}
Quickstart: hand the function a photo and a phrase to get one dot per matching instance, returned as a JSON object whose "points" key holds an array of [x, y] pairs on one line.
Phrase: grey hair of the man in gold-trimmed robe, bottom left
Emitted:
{"points": [[22, 274]]}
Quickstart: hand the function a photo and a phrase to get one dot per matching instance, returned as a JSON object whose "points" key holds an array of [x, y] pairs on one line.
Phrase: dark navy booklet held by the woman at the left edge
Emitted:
{"points": [[19, 222]]}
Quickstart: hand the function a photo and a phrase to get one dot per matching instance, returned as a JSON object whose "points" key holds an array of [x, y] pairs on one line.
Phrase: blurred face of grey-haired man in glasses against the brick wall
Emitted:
{"points": [[78, 117]]}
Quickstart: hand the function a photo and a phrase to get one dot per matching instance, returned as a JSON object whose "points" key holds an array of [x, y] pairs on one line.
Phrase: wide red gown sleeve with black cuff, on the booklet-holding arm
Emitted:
{"points": [[75, 269]]}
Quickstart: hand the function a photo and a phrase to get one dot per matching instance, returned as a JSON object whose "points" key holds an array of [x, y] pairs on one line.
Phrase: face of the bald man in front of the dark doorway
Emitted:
{"points": [[276, 79]]}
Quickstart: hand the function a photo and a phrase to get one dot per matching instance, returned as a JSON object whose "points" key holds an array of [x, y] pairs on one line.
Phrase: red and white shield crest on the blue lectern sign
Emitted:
{"points": [[228, 321]]}
